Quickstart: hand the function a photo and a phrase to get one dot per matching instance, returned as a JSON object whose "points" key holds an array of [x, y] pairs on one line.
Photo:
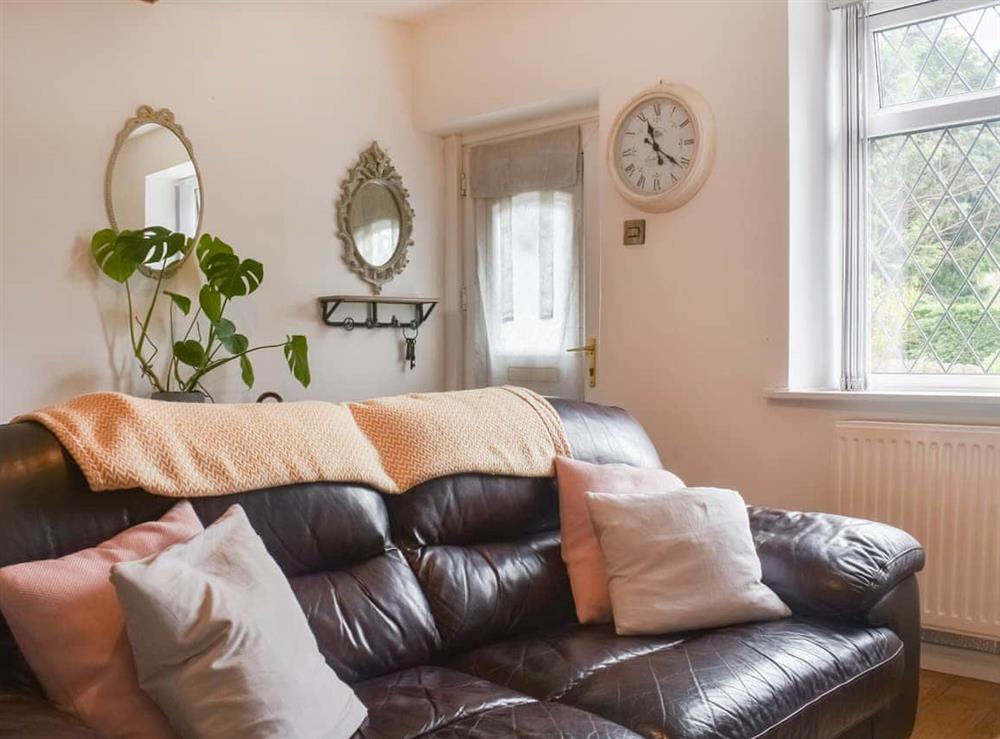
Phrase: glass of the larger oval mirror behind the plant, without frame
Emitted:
{"points": [[154, 183]]}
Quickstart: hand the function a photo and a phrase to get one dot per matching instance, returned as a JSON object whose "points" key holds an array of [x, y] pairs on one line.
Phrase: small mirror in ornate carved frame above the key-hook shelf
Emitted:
{"points": [[374, 219]]}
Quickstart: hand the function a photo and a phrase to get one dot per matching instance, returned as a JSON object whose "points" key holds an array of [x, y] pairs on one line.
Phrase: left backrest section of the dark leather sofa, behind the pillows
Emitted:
{"points": [[362, 600]]}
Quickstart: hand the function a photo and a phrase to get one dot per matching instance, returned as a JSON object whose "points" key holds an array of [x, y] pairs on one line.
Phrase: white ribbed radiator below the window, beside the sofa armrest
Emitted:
{"points": [[942, 484]]}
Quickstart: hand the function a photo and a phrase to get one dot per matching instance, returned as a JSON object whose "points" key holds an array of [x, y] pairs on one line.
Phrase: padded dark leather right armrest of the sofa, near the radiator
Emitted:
{"points": [[828, 565]]}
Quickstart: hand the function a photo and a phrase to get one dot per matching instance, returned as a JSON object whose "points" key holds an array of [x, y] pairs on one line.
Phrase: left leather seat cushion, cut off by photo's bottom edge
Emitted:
{"points": [[439, 702]]}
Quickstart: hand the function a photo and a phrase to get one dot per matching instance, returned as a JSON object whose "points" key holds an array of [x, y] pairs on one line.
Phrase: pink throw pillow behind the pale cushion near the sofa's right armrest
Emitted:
{"points": [[581, 550]]}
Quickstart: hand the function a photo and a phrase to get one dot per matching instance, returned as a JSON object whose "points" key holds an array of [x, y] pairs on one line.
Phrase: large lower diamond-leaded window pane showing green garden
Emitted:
{"points": [[934, 244]]}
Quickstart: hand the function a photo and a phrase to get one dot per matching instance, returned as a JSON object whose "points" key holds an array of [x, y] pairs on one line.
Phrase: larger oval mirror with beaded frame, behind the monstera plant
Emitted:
{"points": [[153, 180]]}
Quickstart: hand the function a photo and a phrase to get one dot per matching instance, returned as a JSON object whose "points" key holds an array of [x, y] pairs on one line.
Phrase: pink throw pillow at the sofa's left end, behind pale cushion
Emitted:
{"points": [[66, 619]]}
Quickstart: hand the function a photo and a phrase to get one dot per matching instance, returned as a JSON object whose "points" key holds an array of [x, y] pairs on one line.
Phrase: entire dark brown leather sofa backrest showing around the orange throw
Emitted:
{"points": [[386, 581]]}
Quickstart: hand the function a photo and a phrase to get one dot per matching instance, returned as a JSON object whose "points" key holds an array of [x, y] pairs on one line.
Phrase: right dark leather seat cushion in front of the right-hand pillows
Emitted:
{"points": [[752, 680]]}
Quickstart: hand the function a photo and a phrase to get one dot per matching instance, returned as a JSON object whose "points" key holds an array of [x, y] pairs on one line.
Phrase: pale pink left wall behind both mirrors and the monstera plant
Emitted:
{"points": [[278, 100]]}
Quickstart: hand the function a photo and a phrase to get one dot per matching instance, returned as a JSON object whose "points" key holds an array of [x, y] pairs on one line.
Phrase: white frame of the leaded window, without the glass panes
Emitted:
{"points": [[904, 118]]}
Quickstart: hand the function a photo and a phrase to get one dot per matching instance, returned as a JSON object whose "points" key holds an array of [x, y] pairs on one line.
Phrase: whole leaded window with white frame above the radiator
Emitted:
{"points": [[932, 176]]}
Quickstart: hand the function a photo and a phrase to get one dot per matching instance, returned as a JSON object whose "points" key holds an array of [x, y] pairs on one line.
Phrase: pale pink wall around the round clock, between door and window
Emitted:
{"points": [[694, 325]]}
